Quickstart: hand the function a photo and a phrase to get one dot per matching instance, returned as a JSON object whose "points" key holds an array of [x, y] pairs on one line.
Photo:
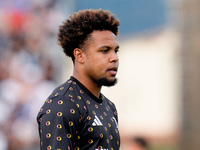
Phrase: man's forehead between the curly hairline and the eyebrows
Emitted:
{"points": [[103, 38]]}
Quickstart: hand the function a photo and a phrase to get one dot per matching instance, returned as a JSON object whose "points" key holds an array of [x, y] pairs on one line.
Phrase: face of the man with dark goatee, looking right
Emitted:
{"points": [[101, 61]]}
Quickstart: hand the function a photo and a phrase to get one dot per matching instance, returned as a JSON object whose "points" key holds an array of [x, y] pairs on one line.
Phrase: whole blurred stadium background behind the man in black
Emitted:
{"points": [[157, 95]]}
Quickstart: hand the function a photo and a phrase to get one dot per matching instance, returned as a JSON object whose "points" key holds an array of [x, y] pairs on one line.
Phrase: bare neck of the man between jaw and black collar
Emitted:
{"points": [[90, 84]]}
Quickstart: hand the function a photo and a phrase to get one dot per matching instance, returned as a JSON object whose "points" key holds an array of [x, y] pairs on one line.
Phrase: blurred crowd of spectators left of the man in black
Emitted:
{"points": [[27, 70]]}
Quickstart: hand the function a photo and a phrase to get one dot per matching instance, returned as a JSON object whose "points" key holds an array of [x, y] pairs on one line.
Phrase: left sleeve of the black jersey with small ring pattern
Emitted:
{"points": [[58, 120]]}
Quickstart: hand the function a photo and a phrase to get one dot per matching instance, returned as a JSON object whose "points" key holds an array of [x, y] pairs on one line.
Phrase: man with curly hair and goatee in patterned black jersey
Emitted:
{"points": [[77, 115]]}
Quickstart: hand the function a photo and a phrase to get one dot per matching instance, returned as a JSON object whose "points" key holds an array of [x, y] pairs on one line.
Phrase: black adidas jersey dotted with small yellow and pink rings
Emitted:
{"points": [[72, 118]]}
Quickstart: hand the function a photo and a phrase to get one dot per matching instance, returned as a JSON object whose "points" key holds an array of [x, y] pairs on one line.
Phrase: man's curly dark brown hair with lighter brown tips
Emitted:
{"points": [[75, 30]]}
